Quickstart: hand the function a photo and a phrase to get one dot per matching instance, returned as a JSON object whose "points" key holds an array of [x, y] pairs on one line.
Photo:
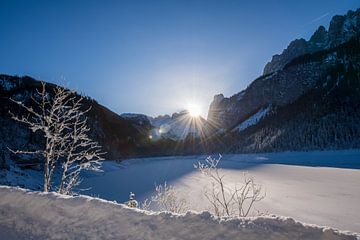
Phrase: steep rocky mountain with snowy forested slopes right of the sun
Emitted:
{"points": [[308, 97]]}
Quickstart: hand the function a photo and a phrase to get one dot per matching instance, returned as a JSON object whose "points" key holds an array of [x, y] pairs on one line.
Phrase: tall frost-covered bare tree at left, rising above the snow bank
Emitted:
{"points": [[63, 125]]}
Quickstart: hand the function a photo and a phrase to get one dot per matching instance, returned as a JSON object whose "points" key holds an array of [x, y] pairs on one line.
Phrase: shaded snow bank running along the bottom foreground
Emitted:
{"points": [[34, 215]]}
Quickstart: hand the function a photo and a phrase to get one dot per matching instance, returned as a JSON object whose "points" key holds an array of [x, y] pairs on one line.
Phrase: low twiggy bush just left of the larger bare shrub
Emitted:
{"points": [[167, 199]]}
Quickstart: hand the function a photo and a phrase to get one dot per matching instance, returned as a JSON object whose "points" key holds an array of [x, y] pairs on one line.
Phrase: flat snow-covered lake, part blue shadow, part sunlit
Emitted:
{"points": [[314, 187]]}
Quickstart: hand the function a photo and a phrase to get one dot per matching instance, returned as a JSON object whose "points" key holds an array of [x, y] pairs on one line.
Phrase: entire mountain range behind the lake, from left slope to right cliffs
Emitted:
{"points": [[308, 98]]}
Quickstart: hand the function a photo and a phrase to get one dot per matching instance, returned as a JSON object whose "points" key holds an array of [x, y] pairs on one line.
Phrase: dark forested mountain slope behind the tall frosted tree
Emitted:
{"points": [[120, 137]]}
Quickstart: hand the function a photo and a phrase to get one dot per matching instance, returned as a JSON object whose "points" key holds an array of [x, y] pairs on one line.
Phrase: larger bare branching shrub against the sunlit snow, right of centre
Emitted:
{"points": [[225, 201]]}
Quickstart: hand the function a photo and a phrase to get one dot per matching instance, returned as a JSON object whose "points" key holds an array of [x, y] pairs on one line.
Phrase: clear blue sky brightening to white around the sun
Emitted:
{"points": [[154, 57]]}
